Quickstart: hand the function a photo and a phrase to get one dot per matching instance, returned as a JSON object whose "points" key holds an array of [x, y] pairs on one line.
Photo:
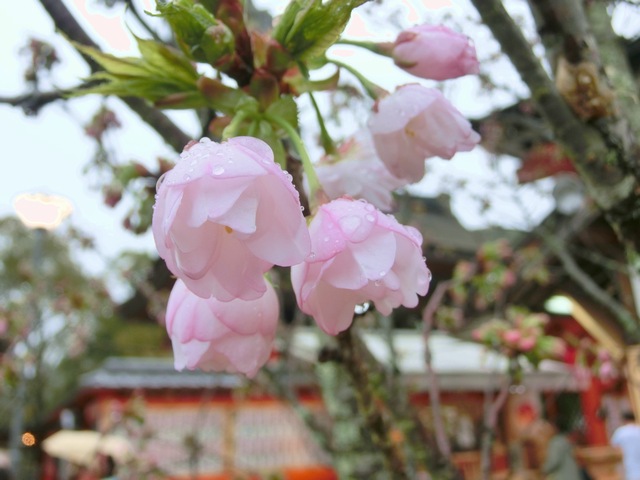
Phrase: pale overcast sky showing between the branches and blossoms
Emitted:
{"points": [[47, 153]]}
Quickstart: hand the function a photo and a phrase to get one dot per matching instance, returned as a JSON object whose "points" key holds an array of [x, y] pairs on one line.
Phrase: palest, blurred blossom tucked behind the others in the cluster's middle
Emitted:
{"points": [[357, 171]]}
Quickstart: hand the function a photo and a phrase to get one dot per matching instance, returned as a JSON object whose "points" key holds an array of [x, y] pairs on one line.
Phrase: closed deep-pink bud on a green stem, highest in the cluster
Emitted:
{"points": [[435, 52]]}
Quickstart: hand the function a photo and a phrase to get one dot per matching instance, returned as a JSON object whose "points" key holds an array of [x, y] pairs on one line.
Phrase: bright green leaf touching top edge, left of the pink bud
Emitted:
{"points": [[309, 27]]}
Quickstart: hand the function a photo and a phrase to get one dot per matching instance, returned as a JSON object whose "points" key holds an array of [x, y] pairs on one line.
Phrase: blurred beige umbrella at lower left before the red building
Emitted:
{"points": [[83, 446]]}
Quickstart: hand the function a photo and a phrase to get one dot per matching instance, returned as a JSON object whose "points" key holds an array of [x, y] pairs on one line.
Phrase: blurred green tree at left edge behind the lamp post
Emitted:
{"points": [[50, 306]]}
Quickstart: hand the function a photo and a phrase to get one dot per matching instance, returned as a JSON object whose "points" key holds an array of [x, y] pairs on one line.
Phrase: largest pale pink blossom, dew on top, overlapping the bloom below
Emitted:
{"points": [[224, 215]]}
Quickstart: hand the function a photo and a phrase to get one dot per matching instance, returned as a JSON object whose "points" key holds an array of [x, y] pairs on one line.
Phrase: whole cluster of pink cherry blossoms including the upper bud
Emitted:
{"points": [[228, 212]]}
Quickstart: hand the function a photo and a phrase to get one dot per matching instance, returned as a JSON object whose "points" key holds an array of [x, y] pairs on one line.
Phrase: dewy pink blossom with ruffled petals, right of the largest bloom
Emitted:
{"points": [[358, 254]]}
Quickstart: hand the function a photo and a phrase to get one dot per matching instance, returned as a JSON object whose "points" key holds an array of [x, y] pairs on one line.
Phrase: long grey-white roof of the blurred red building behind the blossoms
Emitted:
{"points": [[460, 366]]}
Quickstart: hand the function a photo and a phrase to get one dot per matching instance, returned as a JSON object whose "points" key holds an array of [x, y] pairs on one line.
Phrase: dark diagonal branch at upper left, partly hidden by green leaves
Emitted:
{"points": [[67, 24]]}
